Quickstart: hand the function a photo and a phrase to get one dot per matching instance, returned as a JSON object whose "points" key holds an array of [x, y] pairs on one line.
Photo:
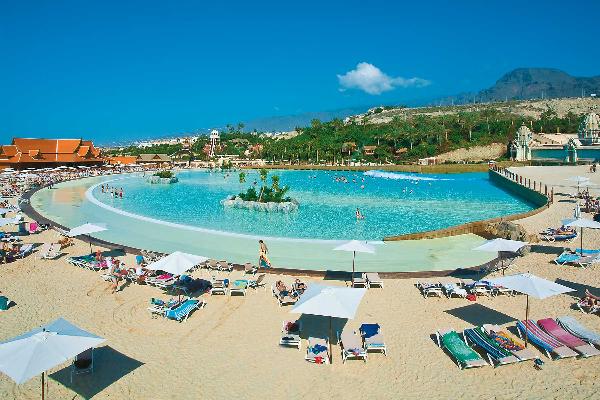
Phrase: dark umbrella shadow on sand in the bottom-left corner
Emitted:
{"points": [[109, 366]]}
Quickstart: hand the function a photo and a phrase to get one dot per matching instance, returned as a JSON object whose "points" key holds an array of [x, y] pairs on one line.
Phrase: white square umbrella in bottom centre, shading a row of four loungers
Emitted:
{"points": [[329, 301]]}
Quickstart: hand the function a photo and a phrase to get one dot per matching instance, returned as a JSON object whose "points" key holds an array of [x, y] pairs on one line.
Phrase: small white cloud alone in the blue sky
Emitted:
{"points": [[370, 79]]}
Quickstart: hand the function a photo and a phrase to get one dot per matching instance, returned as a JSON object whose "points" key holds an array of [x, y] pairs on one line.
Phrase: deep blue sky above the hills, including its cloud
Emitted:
{"points": [[109, 70]]}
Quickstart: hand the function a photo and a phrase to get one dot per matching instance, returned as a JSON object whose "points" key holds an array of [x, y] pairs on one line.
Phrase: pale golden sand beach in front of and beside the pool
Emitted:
{"points": [[230, 348]]}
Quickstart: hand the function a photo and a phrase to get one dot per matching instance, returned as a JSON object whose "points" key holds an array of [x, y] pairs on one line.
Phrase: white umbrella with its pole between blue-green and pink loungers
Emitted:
{"points": [[530, 285]]}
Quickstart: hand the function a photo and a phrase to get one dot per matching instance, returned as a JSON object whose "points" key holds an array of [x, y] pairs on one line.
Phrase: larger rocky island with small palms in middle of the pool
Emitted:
{"points": [[267, 199]]}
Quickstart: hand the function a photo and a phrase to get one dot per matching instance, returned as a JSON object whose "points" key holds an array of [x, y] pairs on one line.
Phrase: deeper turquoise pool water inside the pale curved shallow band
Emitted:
{"points": [[391, 203]]}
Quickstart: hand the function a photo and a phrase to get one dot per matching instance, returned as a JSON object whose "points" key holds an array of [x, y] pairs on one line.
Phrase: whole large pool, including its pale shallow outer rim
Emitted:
{"points": [[188, 216]]}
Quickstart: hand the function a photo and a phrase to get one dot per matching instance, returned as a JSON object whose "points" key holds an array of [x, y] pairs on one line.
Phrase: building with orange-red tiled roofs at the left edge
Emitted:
{"points": [[39, 153]]}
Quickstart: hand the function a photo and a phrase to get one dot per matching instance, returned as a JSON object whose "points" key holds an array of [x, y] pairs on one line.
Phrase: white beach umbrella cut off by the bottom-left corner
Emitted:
{"points": [[41, 349]]}
